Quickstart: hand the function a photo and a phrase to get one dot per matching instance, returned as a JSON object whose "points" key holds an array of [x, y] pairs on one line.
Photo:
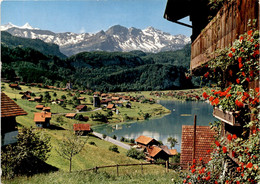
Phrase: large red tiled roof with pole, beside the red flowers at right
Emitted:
{"points": [[204, 140]]}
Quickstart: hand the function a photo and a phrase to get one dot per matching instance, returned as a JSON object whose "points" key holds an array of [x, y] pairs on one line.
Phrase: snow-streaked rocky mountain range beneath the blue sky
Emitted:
{"points": [[116, 38]]}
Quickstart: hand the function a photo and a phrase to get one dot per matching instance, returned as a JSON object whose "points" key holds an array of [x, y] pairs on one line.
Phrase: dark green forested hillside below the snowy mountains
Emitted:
{"points": [[99, 70]]}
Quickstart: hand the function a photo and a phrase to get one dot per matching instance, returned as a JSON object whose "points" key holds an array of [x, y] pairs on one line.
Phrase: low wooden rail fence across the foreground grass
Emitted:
{"points": [[95, 169]]}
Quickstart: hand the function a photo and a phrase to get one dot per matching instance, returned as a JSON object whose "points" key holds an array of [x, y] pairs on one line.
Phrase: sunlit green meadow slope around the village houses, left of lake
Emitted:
{"points": [[91, 155]]}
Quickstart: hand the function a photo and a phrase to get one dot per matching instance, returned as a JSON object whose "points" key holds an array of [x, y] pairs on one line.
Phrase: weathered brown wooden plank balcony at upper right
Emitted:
{"points": [[230, 22]]}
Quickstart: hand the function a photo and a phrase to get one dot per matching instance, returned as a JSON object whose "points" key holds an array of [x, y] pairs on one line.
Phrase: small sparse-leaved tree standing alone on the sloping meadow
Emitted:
{"points": [[70, 146]]}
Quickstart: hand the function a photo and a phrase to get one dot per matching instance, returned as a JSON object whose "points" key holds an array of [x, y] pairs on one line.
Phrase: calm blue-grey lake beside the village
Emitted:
{"points": [[182, 113]]}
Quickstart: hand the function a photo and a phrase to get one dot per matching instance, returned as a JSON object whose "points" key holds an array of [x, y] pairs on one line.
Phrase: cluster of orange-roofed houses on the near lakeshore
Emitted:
{"points": [[153, 149]]}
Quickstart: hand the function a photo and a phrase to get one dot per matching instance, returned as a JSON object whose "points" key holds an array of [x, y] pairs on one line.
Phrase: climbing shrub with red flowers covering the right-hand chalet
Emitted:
{"points": [[238, 64]]}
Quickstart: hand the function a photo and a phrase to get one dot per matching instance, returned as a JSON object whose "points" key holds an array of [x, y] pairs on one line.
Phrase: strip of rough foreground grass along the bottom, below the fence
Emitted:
{"points": [[100, 177]]}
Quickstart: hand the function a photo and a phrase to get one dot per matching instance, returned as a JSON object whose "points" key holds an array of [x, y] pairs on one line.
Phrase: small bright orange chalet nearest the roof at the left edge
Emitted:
{"points": [[42, 119]]}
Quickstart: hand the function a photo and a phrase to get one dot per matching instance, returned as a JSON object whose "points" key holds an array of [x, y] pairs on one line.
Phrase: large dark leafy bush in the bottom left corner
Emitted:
{"points": [[25, 156]]}
